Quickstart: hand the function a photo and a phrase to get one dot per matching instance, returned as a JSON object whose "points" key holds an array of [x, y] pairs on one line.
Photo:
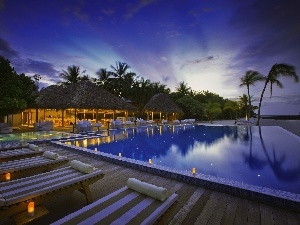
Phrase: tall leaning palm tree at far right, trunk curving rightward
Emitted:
{"points": [[275, 72]]}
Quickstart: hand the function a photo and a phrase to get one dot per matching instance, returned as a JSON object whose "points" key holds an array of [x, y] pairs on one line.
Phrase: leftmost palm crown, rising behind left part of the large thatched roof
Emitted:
{"points": [[73, 75]]}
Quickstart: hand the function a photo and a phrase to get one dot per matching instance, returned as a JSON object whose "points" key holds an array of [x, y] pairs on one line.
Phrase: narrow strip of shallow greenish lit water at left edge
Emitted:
{"points": [[27, 136]]}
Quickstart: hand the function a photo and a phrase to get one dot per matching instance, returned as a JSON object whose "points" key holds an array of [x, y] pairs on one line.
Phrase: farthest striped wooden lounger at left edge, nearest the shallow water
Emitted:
{"points": [[18, 154]]}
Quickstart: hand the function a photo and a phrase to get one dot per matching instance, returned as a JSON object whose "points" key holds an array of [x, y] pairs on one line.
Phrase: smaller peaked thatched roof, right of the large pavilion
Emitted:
{"points": [[162, 103]]}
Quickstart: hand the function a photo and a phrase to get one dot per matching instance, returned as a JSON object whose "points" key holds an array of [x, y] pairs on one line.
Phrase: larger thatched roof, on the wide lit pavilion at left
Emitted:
{"points": [[81, 95]]}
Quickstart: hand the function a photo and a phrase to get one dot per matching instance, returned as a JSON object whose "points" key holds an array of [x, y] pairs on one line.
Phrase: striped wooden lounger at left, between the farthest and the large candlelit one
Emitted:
{"points": [[29, 166]]}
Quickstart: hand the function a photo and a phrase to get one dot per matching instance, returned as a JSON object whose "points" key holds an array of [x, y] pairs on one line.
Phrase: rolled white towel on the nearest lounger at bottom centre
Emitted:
{"points": [[151, 190]]}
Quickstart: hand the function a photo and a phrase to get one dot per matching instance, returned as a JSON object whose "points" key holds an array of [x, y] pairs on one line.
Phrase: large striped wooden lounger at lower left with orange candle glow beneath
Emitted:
{"points": [[44, 187]]}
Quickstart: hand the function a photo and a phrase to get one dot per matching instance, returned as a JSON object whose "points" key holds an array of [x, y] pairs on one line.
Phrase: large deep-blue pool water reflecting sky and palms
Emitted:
{"points": [[261, 156]]}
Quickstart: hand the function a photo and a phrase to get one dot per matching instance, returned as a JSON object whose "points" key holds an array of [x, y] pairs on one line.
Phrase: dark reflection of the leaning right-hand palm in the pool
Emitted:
{"points": [[276, 163]]}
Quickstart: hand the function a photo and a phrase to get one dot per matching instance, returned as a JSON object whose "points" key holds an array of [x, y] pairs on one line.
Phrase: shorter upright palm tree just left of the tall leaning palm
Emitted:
{"points": [[249, 79]]}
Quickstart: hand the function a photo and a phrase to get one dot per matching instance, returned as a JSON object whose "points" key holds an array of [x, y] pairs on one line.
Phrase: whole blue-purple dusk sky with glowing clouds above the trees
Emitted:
{"points": [[208, 44]]}
